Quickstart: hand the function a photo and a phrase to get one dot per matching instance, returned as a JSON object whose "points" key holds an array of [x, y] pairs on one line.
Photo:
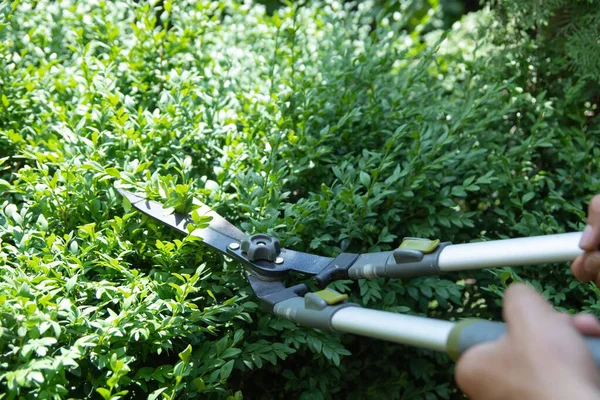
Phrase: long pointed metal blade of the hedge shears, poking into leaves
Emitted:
{"points": [[218, 234]]}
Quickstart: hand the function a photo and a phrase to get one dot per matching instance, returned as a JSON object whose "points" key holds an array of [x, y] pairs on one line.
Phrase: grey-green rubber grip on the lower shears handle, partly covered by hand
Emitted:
{"points": [[471, 332]]}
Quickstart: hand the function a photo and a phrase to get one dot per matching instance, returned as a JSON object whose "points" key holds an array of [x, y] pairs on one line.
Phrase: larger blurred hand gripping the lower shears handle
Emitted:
{"points": [[542, 355]]}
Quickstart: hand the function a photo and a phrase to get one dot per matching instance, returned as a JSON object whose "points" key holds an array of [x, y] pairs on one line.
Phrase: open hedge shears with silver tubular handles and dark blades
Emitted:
{"points": [[266, 264]]}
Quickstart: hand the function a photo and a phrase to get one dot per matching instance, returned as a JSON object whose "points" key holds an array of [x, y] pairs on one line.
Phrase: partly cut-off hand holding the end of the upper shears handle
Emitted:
{"points": [[586, 267]]}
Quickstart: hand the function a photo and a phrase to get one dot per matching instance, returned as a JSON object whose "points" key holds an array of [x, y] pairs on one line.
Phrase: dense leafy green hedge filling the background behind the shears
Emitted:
{"points": [[334, 126]]}
